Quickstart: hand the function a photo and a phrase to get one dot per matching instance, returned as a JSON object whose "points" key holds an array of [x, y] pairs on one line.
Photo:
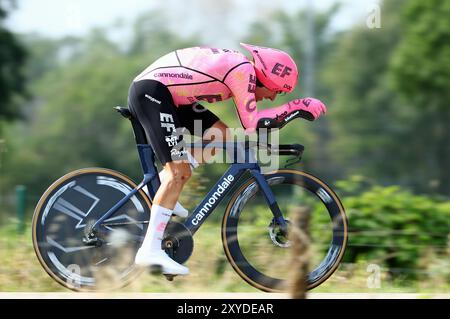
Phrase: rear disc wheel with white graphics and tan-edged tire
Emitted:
{"points": [[64, 215]]}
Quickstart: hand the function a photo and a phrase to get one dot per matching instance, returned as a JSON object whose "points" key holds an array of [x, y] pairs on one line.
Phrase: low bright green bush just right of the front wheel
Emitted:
{"points": [[393, 227]]}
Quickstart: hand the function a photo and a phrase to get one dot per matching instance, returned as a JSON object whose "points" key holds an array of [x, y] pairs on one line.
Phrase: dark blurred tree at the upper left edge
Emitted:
{"points": [[12, 59]]}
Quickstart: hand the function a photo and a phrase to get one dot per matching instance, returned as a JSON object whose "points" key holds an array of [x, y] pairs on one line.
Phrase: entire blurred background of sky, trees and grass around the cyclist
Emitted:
{"points": [[382, 68]]}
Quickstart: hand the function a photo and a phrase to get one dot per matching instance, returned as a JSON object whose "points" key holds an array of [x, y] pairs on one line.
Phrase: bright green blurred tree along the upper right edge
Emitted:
{"points": [[421, 73]]}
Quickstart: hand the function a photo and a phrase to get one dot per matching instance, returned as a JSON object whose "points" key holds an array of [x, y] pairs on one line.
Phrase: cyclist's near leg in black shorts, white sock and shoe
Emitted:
{"points": [[152, 104]]}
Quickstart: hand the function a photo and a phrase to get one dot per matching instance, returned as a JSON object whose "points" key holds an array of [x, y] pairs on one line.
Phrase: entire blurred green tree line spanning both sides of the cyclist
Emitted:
{"points": [[384, 121]]}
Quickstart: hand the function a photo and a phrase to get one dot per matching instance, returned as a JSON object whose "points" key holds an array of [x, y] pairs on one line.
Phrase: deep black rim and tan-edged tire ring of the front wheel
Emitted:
{"points": [[230, 228]]}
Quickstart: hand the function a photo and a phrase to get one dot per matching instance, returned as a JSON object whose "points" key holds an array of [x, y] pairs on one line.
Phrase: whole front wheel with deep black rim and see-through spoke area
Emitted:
{"points": [[251, 240]]}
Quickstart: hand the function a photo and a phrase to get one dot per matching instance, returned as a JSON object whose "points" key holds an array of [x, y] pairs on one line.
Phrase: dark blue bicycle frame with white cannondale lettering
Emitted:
{"points": [[244, 160]]}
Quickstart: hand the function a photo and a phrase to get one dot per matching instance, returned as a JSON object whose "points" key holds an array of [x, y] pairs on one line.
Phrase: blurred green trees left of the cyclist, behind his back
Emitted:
{"points": [[76, 84]]}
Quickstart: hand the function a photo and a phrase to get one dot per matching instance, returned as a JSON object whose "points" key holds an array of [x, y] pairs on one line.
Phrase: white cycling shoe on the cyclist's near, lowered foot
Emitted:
{"points": [[160, 258]]}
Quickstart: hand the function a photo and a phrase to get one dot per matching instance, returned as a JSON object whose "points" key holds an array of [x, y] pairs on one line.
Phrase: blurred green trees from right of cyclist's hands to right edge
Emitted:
{"points": [[389, 109]]}
